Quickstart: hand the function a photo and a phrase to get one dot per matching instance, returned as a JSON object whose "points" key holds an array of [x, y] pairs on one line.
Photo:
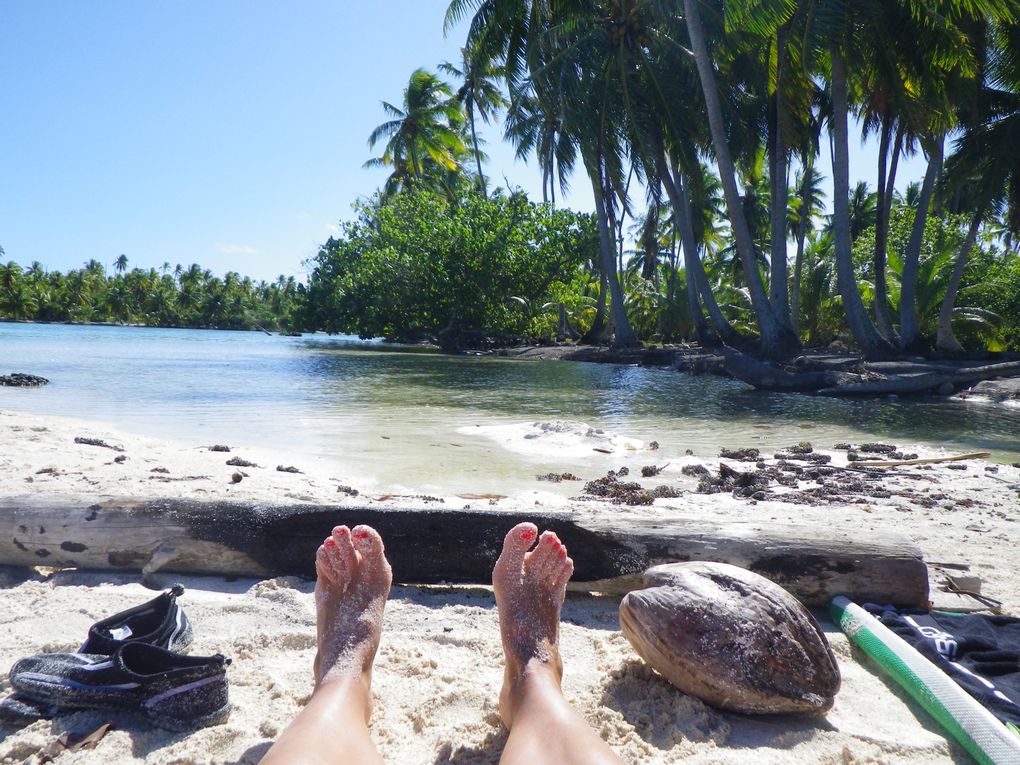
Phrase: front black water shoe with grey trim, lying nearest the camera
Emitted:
{"points": [[172, 691]]}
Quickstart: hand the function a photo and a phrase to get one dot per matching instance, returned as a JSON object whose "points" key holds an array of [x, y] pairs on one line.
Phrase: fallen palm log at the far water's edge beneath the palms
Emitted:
{"points": [[862, 379]]}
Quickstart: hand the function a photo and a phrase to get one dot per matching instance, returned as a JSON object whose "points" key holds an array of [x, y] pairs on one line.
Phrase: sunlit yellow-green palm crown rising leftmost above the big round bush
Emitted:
{"points": [[426, 134]]}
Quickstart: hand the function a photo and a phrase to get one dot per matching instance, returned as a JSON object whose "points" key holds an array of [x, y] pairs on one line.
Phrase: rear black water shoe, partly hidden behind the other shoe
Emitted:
{"points": [[160, 623]]}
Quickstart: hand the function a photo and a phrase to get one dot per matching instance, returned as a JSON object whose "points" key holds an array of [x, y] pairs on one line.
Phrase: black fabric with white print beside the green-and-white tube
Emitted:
{"points": [[982, 653]]}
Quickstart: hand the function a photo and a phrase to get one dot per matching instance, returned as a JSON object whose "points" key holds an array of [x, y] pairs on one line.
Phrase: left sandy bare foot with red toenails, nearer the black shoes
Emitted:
{"points": [[353, 584]]}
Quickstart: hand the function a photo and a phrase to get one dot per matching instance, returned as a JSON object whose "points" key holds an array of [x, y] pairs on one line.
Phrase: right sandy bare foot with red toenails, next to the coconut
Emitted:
{"points": [[530, 591]]}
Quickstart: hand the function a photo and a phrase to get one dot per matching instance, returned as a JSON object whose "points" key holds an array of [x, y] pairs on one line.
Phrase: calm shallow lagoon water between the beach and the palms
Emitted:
{"points": [[403, 419]]}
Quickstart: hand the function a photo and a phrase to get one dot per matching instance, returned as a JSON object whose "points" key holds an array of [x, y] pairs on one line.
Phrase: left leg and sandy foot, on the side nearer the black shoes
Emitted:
{"points": [[353, 584]]}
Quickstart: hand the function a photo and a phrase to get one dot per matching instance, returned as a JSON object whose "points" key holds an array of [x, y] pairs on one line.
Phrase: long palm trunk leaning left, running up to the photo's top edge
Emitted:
{"points": [[777, 340]]}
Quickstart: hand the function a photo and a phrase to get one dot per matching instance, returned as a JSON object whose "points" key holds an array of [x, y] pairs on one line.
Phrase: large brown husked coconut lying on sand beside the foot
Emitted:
{"points": [[731, 638]]}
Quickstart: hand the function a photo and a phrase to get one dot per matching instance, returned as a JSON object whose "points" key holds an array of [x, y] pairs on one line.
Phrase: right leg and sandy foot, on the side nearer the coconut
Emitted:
{"points": [[530, 591]]}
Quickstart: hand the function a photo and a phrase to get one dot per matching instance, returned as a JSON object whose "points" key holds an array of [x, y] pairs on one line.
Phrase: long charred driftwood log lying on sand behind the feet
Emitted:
{"points": [[430, 546]]}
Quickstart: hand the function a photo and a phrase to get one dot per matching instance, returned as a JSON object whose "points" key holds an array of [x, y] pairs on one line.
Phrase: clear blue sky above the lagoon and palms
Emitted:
{"points": [[229, 134]]}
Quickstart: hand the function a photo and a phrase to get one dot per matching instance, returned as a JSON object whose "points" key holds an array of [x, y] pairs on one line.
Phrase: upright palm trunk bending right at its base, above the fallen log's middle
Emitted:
{"points": [[863, 330]]}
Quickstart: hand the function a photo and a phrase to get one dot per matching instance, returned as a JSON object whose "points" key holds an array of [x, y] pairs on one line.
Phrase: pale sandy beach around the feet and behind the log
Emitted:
{"points": [[439, 669]]}
